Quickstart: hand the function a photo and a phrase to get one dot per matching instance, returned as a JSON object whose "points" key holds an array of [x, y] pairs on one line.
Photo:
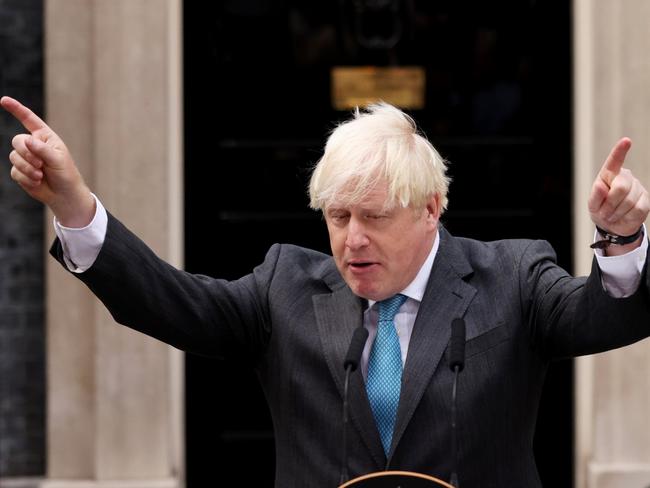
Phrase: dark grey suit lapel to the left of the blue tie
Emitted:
{"points": [[337, 315]]}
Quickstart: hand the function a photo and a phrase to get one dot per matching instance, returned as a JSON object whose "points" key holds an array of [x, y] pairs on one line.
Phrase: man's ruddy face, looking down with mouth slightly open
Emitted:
{"points": [[380, 252]]}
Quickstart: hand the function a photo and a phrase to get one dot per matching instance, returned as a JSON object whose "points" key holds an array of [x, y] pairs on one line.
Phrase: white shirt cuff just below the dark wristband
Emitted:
{"points": [[621, 275]]}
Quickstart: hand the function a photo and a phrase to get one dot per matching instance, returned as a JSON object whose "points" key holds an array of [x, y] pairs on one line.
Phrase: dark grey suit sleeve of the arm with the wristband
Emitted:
{"points": [[575, 316]]}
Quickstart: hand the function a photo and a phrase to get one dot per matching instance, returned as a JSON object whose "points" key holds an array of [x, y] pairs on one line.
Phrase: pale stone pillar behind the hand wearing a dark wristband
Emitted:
{"points": [[612, 99]]}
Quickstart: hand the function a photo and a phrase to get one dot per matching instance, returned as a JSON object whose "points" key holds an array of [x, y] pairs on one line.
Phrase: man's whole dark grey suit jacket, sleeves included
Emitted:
{"points": [[294, 316]]}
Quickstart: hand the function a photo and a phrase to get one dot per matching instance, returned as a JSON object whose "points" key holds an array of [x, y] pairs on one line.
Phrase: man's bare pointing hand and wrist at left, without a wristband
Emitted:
{"points": [[44, 168]]}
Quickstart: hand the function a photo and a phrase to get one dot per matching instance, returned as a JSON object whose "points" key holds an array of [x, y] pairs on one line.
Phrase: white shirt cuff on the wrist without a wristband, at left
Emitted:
{"points": [[81, 246]]}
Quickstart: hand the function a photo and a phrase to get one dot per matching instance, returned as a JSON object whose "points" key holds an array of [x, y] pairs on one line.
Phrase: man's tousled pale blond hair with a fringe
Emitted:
{"points": [[380, 143]]}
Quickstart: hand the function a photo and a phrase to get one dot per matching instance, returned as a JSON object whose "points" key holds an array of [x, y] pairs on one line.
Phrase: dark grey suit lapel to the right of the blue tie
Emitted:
{"points": [[447, 297]]}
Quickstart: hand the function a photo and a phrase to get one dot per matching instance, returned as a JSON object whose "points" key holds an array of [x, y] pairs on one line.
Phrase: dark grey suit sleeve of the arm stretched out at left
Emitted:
{"points": [[191, 312]]}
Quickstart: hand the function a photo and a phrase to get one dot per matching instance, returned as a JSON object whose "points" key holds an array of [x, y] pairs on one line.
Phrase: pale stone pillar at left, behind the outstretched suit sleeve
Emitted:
{"points": [[113, 92]]}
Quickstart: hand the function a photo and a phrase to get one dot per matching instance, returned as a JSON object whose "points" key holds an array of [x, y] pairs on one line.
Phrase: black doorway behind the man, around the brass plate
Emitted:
{"points": [[258, 110]]}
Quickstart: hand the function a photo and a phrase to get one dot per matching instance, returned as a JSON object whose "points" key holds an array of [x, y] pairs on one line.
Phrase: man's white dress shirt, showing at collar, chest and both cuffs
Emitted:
{"points": [[621, 275]]}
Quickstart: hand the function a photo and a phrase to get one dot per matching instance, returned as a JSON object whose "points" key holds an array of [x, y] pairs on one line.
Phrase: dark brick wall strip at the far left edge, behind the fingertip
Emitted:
{"points": [[22, 349]]}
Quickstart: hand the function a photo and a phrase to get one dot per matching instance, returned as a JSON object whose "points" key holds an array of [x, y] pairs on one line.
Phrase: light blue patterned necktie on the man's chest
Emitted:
{"points": [[385, 370]]}
